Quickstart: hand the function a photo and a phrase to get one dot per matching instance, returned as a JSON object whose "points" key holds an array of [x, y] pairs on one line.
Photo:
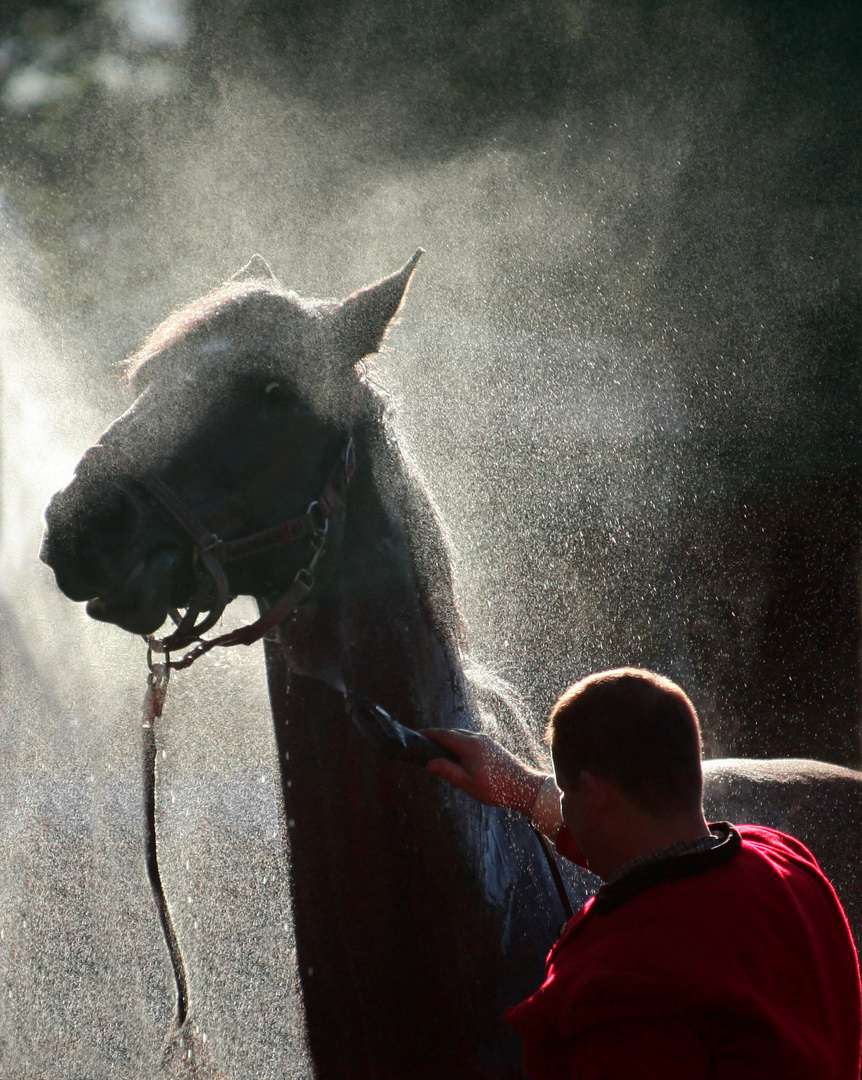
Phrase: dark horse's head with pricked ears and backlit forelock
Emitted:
{"points": [[178, 476]]}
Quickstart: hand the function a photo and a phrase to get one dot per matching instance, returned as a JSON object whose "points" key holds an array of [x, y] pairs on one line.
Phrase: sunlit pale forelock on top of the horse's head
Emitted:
{"points": [[244, 317]]}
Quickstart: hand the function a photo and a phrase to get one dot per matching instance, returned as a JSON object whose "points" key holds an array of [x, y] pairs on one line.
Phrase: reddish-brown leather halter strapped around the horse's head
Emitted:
{"points": [[212, 555]]}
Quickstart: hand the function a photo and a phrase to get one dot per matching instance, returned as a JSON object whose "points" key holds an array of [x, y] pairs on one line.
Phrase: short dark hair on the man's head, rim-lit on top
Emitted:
{"points": [[635, 728]]}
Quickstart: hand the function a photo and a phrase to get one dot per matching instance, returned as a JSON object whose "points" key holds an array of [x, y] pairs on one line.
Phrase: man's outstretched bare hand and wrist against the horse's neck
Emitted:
{"points": [[487, 771]]}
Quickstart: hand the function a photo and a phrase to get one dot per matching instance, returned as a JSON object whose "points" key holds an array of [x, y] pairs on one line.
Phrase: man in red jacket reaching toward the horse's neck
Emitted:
{"points": [[711, 952]]}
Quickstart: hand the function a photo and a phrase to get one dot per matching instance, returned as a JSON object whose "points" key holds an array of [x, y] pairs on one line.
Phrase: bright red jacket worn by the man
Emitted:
{"points": [[746, 969]]}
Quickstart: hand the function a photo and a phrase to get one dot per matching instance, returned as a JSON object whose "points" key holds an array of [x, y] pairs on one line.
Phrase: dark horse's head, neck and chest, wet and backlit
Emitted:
{"points": [[419, 915]]}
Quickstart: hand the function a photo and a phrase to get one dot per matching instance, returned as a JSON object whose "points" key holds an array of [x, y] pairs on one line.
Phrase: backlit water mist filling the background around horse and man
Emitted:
{"points": [[628, 369]]}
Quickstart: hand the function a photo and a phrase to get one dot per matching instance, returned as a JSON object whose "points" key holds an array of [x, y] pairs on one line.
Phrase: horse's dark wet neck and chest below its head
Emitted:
{"points": [[401, 887]]}
